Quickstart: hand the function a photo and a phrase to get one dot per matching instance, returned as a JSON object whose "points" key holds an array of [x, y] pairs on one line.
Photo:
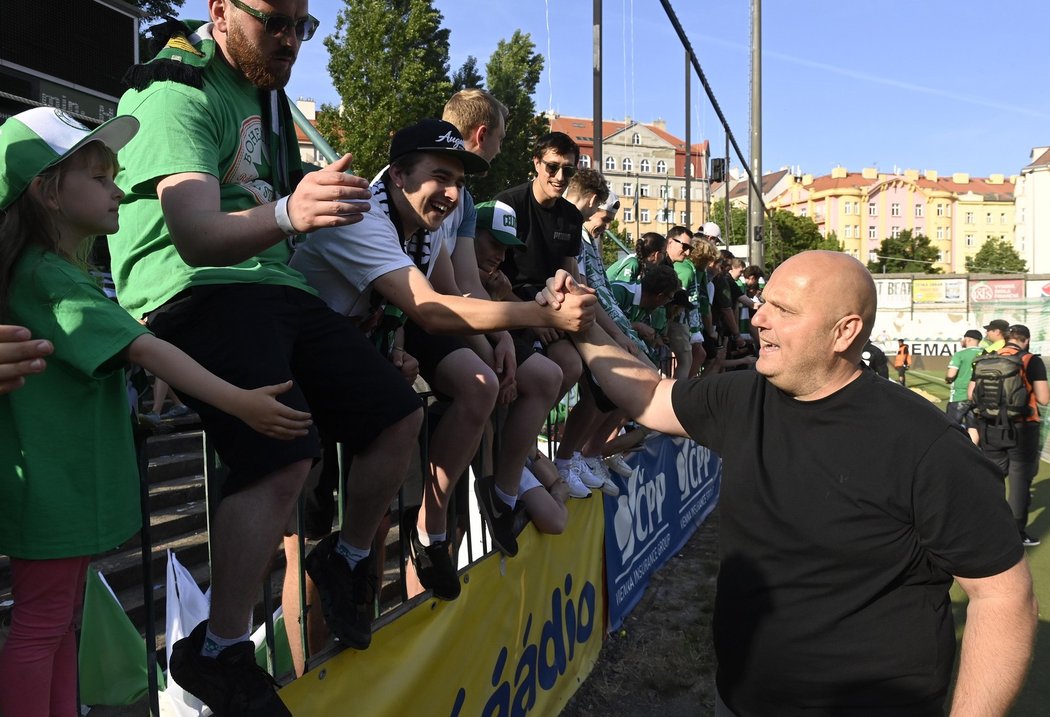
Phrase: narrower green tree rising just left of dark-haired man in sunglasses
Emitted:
{"points": [[512, 76]]}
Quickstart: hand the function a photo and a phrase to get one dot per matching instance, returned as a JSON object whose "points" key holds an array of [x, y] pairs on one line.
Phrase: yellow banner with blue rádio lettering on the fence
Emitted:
{"points": [[522, 637]]}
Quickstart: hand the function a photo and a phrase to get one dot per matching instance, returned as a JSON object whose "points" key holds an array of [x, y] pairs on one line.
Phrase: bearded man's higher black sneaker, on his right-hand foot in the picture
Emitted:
{"points": [[348, 597]]}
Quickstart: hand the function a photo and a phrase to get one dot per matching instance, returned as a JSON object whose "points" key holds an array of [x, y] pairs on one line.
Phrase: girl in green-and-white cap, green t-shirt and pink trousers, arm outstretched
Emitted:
{"points": [[69, 477]]}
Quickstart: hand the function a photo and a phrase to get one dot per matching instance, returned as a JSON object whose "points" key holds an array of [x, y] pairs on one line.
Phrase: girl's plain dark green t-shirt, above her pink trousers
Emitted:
{"points": [[69, 478]]}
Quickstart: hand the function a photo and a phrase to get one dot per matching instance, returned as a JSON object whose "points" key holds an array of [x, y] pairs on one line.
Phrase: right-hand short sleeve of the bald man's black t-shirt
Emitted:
{"points": [[960, 515]]}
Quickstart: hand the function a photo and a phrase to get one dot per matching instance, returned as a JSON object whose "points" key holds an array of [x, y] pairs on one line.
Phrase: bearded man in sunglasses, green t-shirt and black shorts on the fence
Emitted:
{"points": [[216, 200]]}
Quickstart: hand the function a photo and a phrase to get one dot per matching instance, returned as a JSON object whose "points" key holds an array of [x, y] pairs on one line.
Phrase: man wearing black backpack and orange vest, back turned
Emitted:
{"points": [[1006, 388]]}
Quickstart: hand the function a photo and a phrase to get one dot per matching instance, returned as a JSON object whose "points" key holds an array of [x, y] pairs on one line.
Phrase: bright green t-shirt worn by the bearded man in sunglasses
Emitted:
{"points": [[217, 131]]}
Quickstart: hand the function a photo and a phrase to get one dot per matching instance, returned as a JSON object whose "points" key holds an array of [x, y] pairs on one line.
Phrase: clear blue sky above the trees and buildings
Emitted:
{"points": [[921, 85]]}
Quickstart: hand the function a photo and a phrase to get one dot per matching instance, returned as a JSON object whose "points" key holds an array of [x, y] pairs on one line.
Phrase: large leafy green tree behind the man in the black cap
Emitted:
{"points": [[390, 64]]}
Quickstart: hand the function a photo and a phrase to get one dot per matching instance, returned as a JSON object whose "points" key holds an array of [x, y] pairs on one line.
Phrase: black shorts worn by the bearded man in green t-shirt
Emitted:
{"points": [[256, 335]]}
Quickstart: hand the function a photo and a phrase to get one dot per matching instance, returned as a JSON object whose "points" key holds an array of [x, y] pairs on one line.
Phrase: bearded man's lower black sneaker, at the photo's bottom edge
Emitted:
{"points": [[232, 684]]}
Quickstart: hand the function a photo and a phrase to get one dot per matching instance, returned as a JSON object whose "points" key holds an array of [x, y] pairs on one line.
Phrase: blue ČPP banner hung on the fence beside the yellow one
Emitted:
{"points": [[673, 490]]}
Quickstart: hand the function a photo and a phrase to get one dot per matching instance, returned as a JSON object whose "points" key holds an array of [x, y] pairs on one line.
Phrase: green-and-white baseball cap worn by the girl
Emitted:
{"points": [[40, 138]]}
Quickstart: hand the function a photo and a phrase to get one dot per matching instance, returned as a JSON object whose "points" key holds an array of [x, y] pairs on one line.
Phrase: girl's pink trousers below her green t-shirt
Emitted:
{"points": [[38, 663]]}
